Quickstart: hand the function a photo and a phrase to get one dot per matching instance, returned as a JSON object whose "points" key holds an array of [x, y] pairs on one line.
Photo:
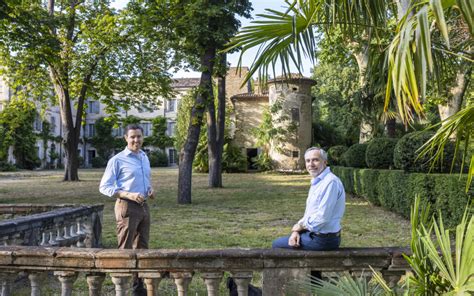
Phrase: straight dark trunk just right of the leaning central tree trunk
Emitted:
{"points": [[216, 129]]}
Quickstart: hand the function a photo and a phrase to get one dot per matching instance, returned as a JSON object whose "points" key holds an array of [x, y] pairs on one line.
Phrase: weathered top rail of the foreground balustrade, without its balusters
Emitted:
{"points": [[113, 260]]}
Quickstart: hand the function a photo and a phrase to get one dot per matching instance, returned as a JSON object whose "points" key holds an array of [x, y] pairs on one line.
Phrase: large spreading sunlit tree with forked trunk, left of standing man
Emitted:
{"points": [[82, 49]]}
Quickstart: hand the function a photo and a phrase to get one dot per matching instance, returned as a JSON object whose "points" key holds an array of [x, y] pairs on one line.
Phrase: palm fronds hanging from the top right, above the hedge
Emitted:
{"points": [[286, 37]]}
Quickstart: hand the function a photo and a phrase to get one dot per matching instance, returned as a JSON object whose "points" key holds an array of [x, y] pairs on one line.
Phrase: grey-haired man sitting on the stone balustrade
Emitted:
{"points": [[320, 227]]}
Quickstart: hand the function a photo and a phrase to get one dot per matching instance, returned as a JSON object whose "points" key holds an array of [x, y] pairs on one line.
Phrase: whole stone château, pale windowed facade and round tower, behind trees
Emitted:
{"points": [[292, 95]]}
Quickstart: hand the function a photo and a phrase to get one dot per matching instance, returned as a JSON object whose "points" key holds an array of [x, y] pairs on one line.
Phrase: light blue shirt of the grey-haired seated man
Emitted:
{"points": [[325, 204]]}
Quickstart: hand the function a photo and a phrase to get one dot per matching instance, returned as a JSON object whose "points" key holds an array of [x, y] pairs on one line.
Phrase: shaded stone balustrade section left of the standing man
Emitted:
{"points": [[62, 225]]}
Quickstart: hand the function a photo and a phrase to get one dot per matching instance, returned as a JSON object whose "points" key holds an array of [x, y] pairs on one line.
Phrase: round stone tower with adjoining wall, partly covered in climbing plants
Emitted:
{"points": [[288, 101]]}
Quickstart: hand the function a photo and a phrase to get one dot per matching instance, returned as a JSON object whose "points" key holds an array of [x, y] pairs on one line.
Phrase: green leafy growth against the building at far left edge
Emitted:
{"points": [[16, 122]]}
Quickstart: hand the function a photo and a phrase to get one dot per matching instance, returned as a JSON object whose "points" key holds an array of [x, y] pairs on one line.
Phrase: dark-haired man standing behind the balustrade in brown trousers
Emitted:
{"points": [[127, 178]]}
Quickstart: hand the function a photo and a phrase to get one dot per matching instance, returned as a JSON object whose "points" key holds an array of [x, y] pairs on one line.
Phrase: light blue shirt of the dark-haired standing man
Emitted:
{"points": [[127, 171]]}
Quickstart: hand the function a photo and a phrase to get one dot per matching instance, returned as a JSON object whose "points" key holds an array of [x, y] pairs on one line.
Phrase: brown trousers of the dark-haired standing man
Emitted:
{"points": [[133, 224]]}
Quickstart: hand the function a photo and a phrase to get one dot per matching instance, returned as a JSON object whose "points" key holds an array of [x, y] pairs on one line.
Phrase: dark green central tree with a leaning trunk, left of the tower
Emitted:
{"points": [[197, 29]]}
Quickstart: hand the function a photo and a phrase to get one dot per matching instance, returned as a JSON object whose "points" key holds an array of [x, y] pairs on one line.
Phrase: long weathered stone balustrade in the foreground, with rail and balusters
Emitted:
{"points": [[278, 267]]}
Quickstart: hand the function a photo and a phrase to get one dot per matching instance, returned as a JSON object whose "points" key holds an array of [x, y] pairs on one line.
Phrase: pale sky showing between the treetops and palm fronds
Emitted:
{"points": [[259, 7]]}
